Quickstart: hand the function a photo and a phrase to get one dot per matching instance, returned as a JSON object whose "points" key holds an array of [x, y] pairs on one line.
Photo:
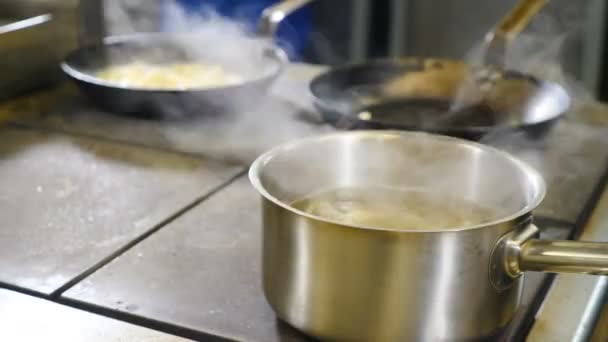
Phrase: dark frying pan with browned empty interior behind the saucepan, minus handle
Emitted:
{"points": [[426, 94]]}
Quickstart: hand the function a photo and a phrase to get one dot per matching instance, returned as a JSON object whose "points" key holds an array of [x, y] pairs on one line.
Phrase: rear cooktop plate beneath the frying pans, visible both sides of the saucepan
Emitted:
{"points": [[572, 156]]}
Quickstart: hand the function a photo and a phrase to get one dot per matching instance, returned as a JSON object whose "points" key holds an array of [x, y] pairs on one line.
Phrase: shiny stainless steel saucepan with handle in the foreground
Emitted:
{"points": [[345, 277]]}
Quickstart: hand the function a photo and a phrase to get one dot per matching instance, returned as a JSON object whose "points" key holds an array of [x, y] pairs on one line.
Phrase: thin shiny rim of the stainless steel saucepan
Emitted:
{"points": [[536, 179]]}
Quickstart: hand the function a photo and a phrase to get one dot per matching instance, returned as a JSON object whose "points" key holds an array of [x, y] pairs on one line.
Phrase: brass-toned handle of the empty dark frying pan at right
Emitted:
{"points": [[511, 25]]}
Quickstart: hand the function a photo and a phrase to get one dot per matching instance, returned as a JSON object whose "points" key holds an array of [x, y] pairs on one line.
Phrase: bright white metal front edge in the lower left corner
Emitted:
{"points": [[26, 318]]}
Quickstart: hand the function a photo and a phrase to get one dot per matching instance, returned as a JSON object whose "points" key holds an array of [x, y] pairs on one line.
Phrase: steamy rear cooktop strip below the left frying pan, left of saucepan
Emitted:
{"points": [[240, 137]]}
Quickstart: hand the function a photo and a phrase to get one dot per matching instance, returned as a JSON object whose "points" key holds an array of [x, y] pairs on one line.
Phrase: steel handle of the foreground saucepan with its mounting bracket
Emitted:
{"points": [[520, 251]]}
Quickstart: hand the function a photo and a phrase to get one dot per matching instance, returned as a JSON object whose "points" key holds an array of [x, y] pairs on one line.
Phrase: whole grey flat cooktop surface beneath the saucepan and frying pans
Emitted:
{"points": [[155, 223]]}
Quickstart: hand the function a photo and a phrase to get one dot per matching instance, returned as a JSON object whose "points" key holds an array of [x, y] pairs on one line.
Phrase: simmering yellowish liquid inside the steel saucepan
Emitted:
{"points": [[382, 207]]}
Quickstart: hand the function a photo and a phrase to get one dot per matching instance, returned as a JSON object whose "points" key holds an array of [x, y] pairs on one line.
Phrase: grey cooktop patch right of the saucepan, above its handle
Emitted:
{"points": [[572, 158]]}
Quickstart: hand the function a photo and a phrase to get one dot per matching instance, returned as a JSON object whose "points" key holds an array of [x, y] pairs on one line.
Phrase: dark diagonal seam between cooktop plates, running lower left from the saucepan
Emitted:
{"points": [[78, 278]]}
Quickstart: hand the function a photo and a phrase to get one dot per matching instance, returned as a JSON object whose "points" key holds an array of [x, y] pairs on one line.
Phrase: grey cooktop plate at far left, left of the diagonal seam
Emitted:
{"points": [[68, 202]]}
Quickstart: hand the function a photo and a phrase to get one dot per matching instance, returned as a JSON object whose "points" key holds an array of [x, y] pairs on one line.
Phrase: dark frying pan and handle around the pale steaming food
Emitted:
{"points": [[259, 66]]}
